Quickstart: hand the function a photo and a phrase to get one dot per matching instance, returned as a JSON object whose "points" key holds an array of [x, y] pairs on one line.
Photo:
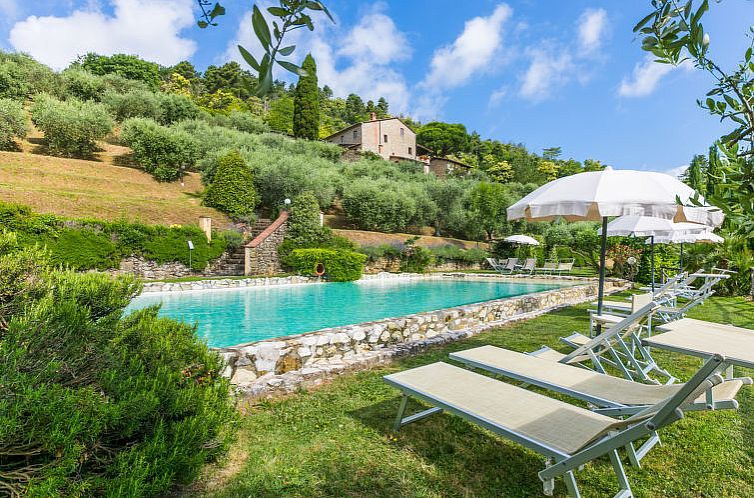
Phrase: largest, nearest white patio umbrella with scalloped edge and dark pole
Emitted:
{"points": [[597, 195]]}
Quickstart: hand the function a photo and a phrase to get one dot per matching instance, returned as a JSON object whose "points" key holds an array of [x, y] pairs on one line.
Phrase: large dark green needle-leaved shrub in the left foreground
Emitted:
{"points": [[96, 403]]}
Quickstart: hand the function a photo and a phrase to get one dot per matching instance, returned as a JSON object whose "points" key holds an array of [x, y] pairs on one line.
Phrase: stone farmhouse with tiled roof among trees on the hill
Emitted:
{"points": [[393, 140]]}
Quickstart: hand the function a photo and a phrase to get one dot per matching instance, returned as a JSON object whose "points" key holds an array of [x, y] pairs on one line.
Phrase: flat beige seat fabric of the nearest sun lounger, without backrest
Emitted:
{"points": [[564, 427]]}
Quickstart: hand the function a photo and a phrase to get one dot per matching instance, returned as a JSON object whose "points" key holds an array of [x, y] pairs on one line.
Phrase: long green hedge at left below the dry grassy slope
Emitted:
{"points": [[94, 244]]}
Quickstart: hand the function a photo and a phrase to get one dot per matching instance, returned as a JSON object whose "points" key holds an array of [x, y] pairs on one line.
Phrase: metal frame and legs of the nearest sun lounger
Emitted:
{"points": [[560, 464]]}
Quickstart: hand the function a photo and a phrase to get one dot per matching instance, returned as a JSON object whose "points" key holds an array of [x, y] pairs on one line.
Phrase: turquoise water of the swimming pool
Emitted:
{"points": [[233, 316]]}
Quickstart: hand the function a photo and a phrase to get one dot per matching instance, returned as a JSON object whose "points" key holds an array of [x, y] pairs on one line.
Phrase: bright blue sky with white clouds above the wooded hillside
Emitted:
{"points": [[541, 73]]}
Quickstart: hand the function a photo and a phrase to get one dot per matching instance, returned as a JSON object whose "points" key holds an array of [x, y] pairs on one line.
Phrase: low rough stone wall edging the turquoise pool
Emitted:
{"points": [[283, 365]]}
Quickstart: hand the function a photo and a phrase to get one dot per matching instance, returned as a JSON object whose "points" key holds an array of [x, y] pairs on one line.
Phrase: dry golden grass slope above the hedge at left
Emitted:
{"points": [[98, 189]]}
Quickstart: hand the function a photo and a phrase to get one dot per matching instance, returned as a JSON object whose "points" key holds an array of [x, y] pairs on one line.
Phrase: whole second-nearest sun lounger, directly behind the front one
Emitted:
{"points": [[609, 395]]}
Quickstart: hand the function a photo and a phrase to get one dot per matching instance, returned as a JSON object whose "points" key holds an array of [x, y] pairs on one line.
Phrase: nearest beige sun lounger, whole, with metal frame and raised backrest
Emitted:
{"points": [[568, 436]]}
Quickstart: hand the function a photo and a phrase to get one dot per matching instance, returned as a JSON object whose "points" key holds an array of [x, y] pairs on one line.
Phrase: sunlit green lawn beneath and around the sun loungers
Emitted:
{"points": [[337, 441]]}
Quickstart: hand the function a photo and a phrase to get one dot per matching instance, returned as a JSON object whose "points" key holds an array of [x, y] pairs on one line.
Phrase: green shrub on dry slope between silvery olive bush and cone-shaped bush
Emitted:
{"points": [[163, 152]]}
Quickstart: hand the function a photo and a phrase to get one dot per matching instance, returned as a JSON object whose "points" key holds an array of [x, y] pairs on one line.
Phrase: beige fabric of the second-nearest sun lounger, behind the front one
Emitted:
{"points": [[585, 381]]}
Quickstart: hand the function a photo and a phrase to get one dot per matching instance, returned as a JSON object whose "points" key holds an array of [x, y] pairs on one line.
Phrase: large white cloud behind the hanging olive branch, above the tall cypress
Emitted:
{"points": [[357, 60]]}
